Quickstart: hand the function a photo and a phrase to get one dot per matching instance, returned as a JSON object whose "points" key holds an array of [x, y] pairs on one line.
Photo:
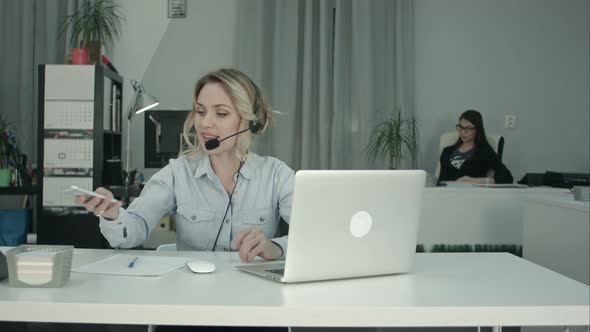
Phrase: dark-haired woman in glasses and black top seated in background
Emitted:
{"points": [[471, 157]]}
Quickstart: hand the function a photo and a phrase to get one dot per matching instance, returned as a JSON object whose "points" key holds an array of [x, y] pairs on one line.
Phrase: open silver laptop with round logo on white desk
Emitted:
{"points": [[348, 224]]}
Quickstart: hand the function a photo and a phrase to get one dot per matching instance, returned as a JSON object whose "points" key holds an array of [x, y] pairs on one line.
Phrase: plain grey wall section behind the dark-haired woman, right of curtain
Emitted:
{"points": [[527, 58]]}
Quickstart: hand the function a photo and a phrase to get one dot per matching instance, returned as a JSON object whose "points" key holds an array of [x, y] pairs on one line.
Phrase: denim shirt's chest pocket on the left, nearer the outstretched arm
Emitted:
{"points": [[194, 227]]}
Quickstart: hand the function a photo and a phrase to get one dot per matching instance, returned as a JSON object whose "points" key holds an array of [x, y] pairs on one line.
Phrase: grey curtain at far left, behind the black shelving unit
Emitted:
{"points": [[28, 35]]}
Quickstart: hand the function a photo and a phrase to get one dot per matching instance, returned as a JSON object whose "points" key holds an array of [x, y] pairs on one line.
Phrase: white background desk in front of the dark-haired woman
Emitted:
{"points": [[476, 215]]}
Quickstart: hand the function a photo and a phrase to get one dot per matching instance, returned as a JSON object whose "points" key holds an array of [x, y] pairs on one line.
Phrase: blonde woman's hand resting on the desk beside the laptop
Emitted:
{"points": [[252, 242]]}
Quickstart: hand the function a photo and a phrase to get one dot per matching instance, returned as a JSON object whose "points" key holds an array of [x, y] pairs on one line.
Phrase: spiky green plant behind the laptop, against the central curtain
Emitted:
{"points": [[394, 139]]}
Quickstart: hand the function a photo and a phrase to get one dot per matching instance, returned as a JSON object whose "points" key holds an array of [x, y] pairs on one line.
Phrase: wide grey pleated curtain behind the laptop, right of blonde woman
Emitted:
{"points": [[333, 69]]}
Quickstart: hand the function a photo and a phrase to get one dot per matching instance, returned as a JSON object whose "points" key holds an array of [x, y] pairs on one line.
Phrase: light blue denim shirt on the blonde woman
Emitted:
{"points": [[189, 189]]}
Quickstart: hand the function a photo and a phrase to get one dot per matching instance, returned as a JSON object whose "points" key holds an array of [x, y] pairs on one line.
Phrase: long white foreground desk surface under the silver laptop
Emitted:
{"points": [[473, 289]]}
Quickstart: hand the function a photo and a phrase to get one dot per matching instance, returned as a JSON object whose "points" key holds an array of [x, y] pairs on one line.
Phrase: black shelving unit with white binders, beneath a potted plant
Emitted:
{"points": [[79, 140]]}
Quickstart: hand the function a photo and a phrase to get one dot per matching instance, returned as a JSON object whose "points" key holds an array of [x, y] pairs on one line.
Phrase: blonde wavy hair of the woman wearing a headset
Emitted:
{"points": [[248, 101]]}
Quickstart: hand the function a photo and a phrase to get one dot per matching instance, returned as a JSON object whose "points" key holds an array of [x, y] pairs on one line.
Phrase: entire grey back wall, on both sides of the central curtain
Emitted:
{"points": [[527, 58]]}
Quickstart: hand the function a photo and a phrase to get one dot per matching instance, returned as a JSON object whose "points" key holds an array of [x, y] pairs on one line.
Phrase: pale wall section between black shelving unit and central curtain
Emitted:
{"points": [[169, 55]]}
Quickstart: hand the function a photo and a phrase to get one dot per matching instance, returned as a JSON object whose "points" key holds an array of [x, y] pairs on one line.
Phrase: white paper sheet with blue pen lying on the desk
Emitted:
{"points": [[147, 266]]}
